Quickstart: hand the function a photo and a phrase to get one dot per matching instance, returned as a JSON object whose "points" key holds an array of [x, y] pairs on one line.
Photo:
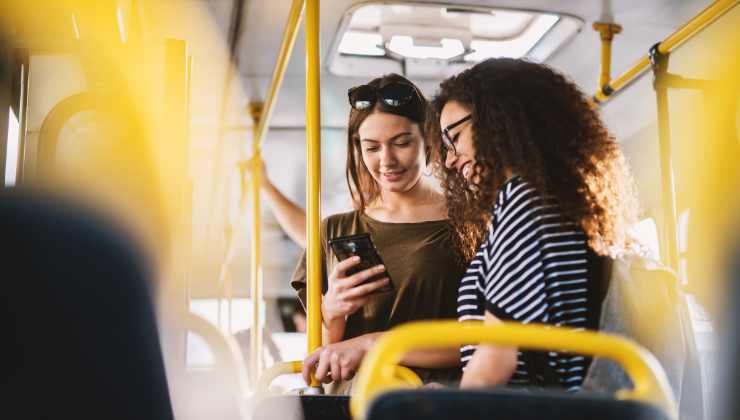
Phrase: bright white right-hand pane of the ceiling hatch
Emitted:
{"points": [[514, 48]]}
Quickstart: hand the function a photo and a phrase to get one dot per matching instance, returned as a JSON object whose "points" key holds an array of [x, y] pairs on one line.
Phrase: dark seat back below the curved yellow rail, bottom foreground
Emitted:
{"points": [[505, 404]]}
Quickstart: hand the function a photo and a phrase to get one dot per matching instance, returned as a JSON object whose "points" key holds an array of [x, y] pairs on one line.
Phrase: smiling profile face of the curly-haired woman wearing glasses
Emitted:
{"points": [[462, 159]]}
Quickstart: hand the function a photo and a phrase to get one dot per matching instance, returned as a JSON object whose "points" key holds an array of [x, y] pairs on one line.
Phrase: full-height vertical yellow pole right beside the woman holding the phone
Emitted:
{"points": [[313, 181]]}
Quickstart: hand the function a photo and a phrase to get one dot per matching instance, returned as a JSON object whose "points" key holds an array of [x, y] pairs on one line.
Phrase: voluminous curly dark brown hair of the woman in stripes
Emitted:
{"points": [[532, 121]]}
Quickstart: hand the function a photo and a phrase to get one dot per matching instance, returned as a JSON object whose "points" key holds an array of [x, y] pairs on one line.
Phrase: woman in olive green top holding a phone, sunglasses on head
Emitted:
{"points": [[404, 212]]}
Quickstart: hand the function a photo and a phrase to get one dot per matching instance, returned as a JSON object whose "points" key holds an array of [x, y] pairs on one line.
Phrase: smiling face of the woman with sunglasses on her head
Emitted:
{"points": [[392, 151]]}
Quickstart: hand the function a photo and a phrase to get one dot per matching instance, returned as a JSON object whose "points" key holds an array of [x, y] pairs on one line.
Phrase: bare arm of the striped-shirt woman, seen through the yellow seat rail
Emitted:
{"points": [[490, 365]]}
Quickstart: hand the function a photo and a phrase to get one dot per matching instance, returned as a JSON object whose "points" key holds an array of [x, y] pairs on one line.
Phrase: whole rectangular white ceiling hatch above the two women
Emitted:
{"points": [[431, 41]]}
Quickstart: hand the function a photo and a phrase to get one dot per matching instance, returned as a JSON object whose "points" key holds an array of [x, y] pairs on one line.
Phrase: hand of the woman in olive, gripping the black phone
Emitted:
{"points": [[346, 294]]}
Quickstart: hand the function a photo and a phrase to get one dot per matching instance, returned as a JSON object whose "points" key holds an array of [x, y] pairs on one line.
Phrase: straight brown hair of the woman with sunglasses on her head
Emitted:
{"points": [[362, 186]]}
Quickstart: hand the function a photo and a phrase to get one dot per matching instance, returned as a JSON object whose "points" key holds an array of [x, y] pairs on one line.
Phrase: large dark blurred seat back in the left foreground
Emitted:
{"points": [[78, 326]]}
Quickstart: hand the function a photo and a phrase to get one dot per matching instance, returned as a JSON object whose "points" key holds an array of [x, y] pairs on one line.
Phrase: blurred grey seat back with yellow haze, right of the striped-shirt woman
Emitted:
{"points": [[645, 303]]}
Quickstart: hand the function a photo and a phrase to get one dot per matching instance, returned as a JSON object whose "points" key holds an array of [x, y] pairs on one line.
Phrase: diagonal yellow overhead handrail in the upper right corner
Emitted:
{"points": [[681, 35]]}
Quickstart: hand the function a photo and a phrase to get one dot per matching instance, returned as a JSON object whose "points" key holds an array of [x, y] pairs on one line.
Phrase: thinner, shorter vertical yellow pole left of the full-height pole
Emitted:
{"points": [[255, 353]]}
